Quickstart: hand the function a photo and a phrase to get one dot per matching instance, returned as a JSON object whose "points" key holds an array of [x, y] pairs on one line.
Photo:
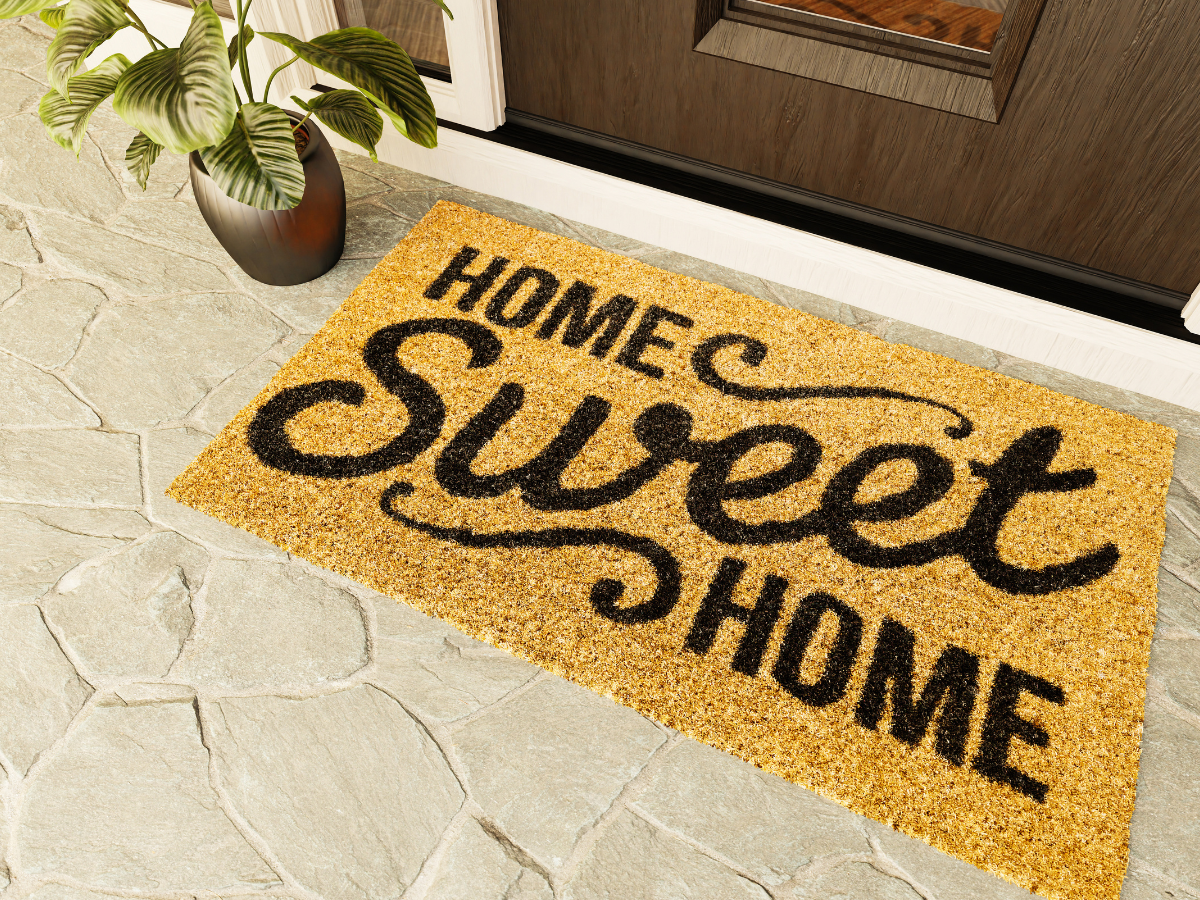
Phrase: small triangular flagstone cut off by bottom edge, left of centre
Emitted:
{"points": [[477, 868]]}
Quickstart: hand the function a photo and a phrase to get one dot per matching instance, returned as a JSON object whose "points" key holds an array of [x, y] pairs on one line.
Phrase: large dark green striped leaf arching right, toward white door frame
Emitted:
{"points": [[380, 69]]}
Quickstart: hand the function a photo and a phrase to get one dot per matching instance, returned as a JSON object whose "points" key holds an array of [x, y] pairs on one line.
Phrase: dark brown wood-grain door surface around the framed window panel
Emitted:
{"points": [[1095, 161]]}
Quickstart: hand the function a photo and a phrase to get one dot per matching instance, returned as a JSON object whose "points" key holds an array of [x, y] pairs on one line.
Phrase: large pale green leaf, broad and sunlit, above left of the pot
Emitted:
{"points": [[183, 99]]}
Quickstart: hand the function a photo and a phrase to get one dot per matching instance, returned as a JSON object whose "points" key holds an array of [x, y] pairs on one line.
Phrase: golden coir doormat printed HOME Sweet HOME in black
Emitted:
{"points": [[920, 589]]}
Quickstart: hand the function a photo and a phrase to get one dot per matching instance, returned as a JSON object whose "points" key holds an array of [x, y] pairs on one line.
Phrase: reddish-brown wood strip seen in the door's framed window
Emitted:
{"points": [[935, 20]]}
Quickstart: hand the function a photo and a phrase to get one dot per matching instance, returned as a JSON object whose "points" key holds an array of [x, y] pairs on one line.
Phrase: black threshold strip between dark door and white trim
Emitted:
{"points": [[1091, 291]]}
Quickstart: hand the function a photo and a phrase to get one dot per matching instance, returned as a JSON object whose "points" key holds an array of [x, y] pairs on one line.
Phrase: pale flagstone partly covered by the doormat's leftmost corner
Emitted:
{"points": [[170, 452]]}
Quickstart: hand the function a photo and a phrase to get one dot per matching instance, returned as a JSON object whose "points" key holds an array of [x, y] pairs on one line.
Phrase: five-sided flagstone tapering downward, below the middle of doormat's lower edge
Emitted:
{"points": [[548, 764]]}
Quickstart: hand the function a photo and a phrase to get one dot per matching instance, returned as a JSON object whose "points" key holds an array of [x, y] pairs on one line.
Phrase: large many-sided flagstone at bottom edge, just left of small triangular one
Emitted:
{"points": [[346, 789]]}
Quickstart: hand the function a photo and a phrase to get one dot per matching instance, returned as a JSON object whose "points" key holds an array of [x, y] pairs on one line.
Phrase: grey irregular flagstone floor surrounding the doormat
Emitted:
{"points": [[188, 712]]}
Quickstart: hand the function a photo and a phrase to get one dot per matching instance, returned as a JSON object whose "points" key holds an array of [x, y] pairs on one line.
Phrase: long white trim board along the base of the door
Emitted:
{"points": [[1036, 331]]}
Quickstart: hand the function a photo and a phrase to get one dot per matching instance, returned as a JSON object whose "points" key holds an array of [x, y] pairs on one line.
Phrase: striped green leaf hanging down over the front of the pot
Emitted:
{"points": [[257, 165]]}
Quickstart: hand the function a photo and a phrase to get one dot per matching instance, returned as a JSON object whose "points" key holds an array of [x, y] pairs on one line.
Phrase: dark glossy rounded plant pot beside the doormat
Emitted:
{"points": [[283, 247]]}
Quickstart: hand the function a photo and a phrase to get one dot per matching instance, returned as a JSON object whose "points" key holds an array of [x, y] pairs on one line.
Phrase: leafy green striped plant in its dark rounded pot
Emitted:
{"points": [[265, 178]]}
